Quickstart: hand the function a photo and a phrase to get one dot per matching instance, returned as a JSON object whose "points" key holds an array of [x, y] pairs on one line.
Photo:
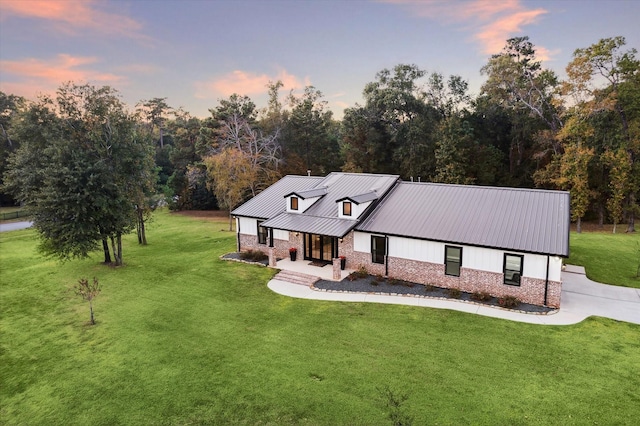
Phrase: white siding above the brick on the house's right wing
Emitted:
{"points": [[479, 258]]}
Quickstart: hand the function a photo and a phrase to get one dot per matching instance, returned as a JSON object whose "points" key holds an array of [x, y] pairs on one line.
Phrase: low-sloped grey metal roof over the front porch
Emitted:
{"points": [[331, 226]]}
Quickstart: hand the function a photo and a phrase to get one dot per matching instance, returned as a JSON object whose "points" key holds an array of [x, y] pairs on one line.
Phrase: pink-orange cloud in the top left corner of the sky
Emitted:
{"points": [[70, 16]]}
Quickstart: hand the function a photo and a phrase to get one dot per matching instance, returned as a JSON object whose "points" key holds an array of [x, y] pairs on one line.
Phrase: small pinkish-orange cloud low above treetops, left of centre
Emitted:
{"points": [[246, 83]]}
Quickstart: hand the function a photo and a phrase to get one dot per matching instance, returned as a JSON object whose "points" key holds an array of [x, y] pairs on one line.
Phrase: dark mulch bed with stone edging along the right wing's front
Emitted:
{"points": [[388, 286]]}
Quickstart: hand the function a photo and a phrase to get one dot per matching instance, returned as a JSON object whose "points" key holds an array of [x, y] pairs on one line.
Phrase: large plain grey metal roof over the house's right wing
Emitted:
{"points": [[526, 220]]}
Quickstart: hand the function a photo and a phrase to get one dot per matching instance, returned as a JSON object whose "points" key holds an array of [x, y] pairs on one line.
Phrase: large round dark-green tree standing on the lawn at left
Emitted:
{"points": [[80, 170]]}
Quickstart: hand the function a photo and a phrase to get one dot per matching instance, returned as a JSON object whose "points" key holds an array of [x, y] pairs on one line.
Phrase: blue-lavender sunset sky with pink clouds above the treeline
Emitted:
{"points": [[196, 52]]}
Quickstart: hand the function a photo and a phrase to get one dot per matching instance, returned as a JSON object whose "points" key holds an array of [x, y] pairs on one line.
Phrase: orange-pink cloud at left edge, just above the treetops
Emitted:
{"points": [[33, 76]]}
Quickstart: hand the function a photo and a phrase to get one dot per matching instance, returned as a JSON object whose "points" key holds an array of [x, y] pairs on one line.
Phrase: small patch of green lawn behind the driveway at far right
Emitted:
{"points": [[608, 258]]}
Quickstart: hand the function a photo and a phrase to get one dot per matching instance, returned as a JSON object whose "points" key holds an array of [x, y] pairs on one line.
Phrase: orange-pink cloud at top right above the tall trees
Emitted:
{"points": [[492, 22]]}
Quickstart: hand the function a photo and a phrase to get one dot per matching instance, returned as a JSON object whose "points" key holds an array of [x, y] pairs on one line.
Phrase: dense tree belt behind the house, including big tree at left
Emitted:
{"points": [[526, 128]]}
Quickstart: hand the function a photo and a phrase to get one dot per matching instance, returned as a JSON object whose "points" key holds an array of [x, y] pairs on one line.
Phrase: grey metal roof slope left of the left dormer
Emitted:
{"points": [[270, 202]]}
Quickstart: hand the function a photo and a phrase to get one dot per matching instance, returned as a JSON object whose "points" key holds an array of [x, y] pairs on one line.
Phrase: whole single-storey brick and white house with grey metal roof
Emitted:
{"points": [[504, 241]]}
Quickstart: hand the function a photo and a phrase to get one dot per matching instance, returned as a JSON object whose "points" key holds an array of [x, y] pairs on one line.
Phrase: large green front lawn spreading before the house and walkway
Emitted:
{"points": [[184, 338]]}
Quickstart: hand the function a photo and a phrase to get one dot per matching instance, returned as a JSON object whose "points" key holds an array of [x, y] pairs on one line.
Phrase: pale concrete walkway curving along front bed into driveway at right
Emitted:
{"points": [[581, 298]]}
